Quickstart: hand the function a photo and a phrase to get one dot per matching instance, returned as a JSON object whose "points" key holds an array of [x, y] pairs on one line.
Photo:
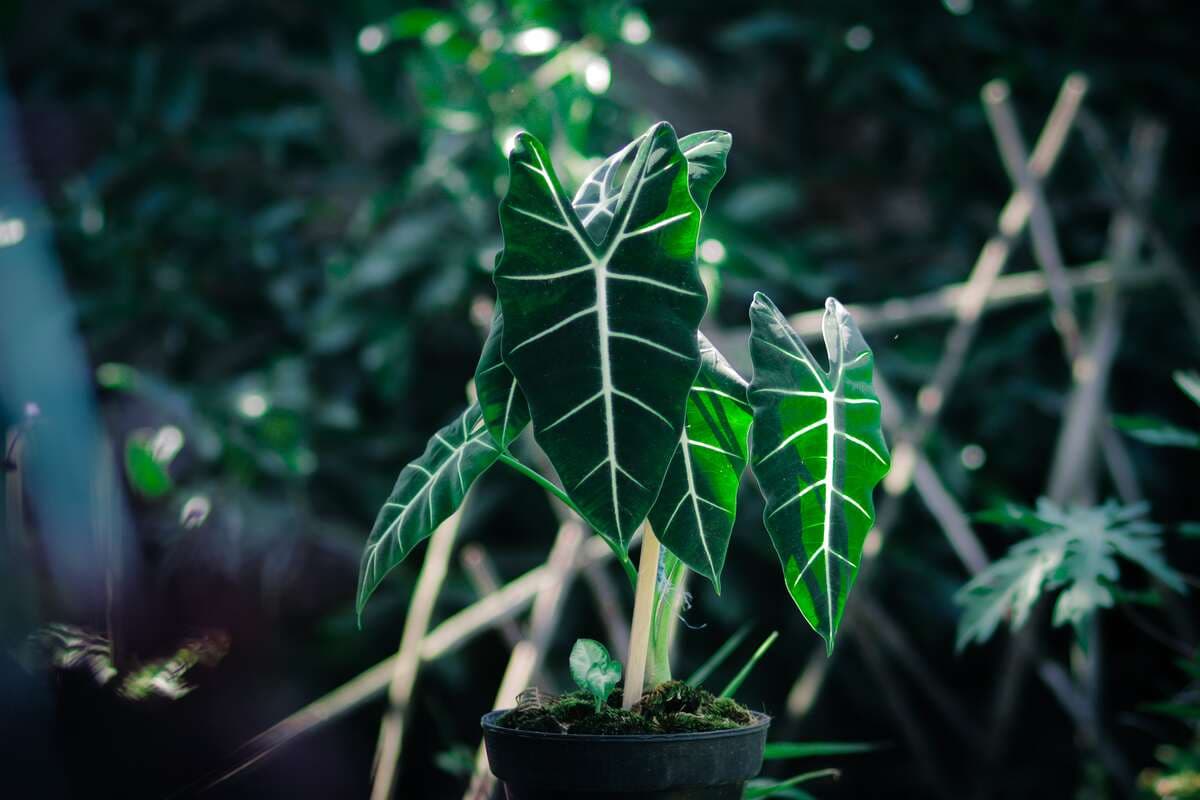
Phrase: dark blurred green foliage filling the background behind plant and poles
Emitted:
{"points": [[278, 222]]}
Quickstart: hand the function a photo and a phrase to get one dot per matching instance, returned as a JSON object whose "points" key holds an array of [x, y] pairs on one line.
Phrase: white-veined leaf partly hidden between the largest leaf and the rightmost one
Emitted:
{"points": [[694, 514]]}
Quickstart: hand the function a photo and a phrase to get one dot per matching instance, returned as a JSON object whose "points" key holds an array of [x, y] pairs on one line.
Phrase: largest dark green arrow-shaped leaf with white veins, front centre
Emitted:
{"points": [[602, 335]]}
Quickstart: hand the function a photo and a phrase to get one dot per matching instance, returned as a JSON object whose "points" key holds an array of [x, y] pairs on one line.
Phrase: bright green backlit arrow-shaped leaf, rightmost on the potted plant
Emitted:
{"points": [[818, 452]]}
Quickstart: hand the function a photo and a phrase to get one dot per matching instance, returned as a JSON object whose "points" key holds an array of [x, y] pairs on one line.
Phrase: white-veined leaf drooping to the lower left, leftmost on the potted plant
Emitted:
{"points": [[428, 491]]}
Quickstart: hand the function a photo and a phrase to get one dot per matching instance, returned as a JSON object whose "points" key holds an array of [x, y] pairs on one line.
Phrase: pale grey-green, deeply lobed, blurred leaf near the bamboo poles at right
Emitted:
{"points": [[1077, 552]]}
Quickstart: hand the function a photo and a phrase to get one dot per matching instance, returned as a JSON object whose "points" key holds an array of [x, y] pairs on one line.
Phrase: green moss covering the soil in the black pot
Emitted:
{"points": [[674, 707]]}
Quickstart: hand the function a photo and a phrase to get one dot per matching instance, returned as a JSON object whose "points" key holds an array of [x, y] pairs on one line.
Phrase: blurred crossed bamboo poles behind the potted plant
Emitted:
{"points": [[1090, 356]]}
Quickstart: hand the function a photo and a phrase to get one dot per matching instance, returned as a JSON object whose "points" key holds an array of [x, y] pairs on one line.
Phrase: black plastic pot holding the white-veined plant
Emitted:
{"points": [[711, 766]]}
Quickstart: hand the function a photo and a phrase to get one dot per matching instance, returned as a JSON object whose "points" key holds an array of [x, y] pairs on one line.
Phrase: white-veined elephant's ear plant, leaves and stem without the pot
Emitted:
{"points": [[596, 342]]}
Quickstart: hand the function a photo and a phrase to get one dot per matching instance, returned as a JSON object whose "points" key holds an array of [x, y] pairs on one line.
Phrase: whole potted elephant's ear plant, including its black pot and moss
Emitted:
{"points": [[596, 344]]}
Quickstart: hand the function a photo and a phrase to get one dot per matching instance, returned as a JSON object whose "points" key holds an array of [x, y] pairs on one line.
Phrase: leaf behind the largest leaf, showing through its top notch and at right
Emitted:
{"points": [[596, 202]]}
